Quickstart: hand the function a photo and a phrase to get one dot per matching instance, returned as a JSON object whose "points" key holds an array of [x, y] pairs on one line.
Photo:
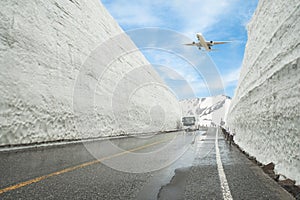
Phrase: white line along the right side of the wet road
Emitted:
{"points": [[224, 184]]}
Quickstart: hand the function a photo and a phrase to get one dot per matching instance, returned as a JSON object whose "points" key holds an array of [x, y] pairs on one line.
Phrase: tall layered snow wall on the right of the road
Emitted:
{"points": [[265, 110]]}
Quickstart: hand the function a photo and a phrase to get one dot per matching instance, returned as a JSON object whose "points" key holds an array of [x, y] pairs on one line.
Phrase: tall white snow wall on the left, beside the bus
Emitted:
{"points": [[54, 85]]}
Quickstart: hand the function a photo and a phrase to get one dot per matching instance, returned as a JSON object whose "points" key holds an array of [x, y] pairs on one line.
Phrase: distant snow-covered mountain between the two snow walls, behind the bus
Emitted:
{"points": [[208, 111]]}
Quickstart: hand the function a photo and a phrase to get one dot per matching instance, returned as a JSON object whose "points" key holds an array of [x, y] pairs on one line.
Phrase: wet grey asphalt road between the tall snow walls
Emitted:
{"points": [[177, 165]]}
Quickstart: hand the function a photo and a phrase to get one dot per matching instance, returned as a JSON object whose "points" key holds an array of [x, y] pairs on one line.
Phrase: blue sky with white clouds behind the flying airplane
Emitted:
{"points": [[160, 28]]}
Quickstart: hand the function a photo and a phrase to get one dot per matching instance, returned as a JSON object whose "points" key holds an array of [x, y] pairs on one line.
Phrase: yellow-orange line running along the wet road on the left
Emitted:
{"points": [[25, 183]]}
